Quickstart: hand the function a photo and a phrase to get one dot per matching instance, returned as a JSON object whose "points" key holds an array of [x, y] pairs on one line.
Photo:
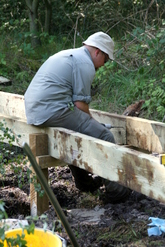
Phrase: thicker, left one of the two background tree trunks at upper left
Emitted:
{"points": [[33, 14]]}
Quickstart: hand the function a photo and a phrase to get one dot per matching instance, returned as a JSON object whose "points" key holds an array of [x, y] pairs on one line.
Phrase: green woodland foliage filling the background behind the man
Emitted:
{"points": [[136, 27]]}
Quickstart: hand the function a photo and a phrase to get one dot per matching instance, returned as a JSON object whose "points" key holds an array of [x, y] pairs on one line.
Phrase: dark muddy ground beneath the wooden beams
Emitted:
{"points": [[93, 220]]}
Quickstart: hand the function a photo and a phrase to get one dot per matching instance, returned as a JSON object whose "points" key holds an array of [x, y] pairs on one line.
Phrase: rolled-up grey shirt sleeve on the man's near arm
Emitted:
{"points": [[83, 75]]}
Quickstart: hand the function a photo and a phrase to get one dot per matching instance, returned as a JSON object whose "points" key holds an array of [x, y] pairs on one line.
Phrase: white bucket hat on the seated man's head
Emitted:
{"points": [[102, 41]]}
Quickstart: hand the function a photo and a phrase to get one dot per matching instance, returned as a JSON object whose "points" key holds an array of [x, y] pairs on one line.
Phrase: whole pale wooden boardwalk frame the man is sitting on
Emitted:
{"points": [[130, 162]]}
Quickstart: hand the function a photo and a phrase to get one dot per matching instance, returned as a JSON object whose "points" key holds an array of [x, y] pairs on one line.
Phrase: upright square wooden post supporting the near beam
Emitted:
{"points": [[39, 146]]}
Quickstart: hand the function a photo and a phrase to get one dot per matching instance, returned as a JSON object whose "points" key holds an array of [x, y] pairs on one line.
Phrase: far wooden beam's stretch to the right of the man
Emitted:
{"points": [[142, 133]]}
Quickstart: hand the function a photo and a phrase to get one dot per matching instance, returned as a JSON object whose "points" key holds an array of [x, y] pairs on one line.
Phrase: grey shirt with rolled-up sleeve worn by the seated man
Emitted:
{"points": [[64, 78]]}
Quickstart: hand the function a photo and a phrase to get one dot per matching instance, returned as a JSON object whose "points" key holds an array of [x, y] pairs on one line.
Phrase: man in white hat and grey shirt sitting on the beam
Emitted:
{"points": [[60, 93]]}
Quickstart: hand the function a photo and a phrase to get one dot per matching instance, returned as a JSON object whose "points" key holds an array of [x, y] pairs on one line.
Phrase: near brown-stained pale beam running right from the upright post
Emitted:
{"points": [[138, 171]]}
